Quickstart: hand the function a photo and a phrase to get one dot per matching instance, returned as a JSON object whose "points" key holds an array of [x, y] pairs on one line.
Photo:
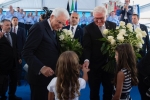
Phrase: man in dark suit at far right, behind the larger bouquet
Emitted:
{"points": [[143, 64]]}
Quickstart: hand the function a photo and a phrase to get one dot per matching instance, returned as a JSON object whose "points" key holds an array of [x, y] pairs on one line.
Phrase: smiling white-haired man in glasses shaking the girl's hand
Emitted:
{"points": [[93, 57]]}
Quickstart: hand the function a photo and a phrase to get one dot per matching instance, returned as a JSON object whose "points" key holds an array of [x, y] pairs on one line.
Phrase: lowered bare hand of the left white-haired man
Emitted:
{"points": [[47, 71]]}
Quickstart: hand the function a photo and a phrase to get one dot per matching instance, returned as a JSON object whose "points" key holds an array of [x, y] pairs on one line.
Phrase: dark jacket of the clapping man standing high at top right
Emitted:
{"points": [[129, 14]]}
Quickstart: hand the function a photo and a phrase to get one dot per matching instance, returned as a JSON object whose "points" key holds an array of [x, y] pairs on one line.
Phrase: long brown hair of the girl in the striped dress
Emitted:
{"points": [[126, 59]]}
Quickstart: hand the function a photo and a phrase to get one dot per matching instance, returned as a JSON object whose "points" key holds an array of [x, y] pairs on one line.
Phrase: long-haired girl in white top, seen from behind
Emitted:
{"points": [[67, 84]]}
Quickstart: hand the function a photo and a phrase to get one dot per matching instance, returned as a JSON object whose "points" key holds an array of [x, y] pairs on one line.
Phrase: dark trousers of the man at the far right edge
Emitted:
{"points": [[142, 87]]}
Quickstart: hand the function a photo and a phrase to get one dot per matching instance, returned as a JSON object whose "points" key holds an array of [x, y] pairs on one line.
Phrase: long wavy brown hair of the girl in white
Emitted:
{"points": [[67, 72]]}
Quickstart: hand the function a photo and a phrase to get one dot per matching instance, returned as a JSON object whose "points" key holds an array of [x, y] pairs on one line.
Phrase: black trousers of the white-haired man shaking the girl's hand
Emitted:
{"points": [[96, 77]]}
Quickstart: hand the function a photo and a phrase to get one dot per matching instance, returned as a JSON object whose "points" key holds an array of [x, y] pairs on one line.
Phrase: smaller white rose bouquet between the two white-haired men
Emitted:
{"points": [[67, 42]]}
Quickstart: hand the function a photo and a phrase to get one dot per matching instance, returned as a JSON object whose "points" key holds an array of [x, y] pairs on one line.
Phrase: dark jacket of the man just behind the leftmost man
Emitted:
{"points": [[21, 37]]}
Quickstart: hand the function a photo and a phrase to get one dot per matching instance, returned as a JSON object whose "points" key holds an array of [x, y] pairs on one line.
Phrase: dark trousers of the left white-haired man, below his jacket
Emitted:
{"points": [[38, 92]]}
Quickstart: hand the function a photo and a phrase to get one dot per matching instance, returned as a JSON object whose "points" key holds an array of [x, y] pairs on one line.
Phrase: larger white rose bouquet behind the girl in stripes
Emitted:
{"points": [[122, 34]]}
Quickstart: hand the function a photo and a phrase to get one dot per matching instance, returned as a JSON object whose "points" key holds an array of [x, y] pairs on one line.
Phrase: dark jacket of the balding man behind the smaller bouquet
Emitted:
{"points": [[78, 33]]}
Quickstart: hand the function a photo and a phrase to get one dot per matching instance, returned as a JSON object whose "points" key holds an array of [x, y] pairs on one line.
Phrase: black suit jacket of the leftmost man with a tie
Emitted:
{"points": [[8, 54]]}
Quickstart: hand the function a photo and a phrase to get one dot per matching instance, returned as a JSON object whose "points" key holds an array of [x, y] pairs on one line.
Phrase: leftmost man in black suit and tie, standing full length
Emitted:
{"points": [[8, 61]]}
